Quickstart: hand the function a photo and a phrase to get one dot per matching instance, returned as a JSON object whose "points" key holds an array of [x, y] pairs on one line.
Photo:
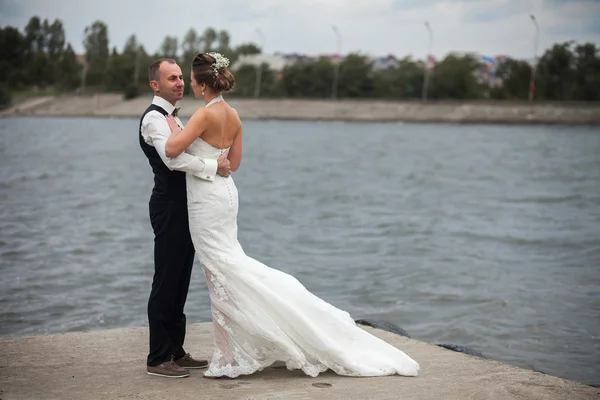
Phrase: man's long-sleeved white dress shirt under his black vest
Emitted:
{"points": [[156, 132]]}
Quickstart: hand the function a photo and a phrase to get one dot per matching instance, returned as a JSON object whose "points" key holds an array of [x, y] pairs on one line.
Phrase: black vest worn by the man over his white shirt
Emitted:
{"points": [[168, 185]]}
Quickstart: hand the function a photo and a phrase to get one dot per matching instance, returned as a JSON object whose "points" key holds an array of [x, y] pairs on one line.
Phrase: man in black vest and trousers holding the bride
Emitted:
{"points": [[173, 248]]}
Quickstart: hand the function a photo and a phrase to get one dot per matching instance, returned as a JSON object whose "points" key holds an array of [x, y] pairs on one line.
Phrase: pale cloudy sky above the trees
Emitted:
{"points": [[370, 27]]}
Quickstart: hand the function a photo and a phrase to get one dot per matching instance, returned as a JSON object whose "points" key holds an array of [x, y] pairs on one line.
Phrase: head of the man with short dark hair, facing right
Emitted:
{"points": [[166, 79]]}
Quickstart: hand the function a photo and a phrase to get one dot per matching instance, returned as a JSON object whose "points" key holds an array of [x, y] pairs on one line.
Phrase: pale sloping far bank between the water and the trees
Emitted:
{"points": [[321, 110]]}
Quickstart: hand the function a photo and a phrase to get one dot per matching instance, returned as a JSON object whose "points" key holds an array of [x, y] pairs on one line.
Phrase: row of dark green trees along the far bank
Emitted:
{"points": [[40, 58]]}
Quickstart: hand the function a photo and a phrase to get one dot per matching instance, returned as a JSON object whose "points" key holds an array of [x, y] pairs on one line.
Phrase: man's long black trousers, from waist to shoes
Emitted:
{"points": [[173, 262]]}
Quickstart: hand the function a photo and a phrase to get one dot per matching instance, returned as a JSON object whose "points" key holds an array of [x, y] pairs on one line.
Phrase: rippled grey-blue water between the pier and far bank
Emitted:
{"points": [[484, 236]]}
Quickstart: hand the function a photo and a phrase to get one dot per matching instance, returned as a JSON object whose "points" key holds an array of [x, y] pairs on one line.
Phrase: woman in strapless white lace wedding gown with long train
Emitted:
{"points": [[260, 315]]}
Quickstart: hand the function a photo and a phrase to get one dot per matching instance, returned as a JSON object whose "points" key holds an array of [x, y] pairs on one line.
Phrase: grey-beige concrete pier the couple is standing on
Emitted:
{"points": [[110, 364]]}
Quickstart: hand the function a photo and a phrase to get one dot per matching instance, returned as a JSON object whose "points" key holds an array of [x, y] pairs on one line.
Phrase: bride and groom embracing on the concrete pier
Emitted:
{"points": [[260, 315]]}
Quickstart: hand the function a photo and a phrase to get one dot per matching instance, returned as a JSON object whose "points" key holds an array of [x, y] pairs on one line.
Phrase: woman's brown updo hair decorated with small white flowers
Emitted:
{"points": [[211, 68]]}
